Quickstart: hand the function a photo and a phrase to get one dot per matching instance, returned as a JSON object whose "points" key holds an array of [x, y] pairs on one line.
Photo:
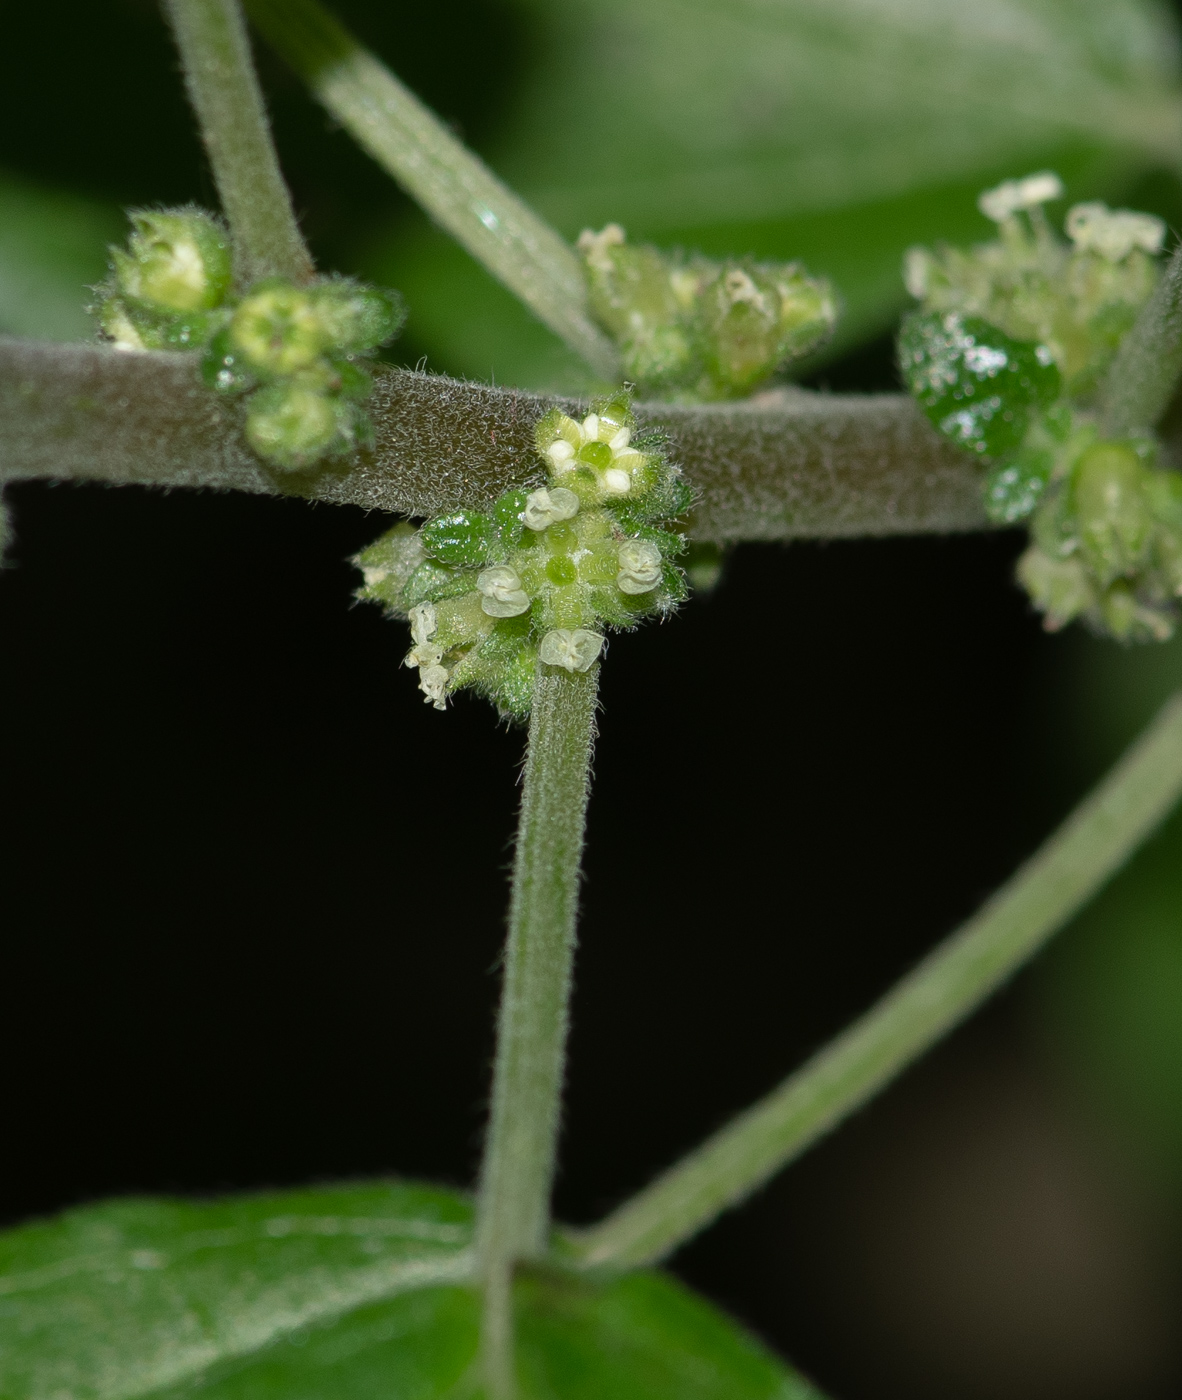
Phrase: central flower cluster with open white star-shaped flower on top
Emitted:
{"points": [[544, 573]]}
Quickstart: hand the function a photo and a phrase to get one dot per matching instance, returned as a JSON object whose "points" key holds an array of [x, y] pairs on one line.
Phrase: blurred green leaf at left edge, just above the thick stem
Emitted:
{"points": [[53, 248]]}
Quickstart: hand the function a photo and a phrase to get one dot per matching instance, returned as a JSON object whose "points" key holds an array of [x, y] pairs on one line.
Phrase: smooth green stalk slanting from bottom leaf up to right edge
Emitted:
{"points": [[949, 985]]}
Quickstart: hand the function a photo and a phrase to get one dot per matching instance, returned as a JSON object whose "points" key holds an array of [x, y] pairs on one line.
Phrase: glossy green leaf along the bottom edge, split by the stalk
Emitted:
{"points": [[356, 1293]]}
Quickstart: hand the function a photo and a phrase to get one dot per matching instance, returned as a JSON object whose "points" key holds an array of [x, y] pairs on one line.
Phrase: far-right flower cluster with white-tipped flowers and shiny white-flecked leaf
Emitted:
{"points": [[1008, 358]]}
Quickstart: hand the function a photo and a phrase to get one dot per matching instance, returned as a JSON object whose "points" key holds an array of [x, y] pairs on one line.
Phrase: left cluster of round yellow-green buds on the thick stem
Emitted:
{"points": [[296, 353]]}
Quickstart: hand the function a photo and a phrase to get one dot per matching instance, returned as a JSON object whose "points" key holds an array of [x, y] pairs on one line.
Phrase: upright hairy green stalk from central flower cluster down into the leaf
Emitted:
{"points": [[515, 1200]]}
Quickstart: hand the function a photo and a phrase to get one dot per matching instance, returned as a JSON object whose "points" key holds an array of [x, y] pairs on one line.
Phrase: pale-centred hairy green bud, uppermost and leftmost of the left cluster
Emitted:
{"points": [[176, 260]]}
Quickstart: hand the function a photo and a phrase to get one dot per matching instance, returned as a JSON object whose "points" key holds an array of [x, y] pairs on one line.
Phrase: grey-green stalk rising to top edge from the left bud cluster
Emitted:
{"points": [[226, 96]]}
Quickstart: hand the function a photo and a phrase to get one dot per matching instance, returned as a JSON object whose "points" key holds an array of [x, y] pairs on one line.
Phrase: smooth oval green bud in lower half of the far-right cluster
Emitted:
{"points": [[1114, 510]]}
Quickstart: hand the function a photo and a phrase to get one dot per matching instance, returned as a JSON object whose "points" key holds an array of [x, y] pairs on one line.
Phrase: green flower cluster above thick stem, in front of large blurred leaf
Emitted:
{"points": [[694, 328]]}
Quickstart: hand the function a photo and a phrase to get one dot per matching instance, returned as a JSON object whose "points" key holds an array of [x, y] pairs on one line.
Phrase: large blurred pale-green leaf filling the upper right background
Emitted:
{"points": [[834, 131]]}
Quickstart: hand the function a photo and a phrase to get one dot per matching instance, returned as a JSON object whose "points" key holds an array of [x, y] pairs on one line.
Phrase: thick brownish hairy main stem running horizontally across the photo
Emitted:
{"points": [[788, 465]]}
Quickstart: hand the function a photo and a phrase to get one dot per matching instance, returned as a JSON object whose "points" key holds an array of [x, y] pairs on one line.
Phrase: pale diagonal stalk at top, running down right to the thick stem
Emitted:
{"points": [[456, 188]]}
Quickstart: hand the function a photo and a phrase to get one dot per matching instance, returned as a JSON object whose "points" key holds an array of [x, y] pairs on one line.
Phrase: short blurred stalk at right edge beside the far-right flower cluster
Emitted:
{"points": [[1149, 363]]}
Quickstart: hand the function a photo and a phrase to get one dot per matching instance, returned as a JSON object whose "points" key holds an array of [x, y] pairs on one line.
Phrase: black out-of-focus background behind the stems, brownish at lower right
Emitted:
{"points": [[254, 888]]}
